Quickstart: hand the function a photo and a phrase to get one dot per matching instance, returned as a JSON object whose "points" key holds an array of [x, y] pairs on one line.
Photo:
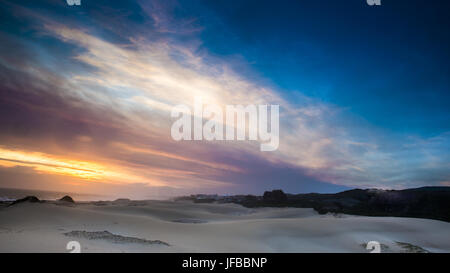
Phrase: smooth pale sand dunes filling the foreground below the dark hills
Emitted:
{"points": [[189, 227]]}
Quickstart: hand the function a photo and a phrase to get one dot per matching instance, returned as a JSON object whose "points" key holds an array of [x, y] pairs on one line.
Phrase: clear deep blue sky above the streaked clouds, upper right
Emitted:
{"points": [[389, 64]]}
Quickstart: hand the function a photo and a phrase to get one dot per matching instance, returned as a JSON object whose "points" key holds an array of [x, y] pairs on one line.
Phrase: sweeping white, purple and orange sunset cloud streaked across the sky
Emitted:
{"points": [[108, 106]]}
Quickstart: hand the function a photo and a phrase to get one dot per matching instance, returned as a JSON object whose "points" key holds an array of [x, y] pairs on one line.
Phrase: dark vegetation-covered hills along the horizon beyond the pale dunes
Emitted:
{"points": [[426, 202]]}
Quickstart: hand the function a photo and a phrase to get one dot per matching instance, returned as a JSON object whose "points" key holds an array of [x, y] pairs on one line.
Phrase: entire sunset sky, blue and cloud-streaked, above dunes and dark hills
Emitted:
{"points": [[87, 92]]}
